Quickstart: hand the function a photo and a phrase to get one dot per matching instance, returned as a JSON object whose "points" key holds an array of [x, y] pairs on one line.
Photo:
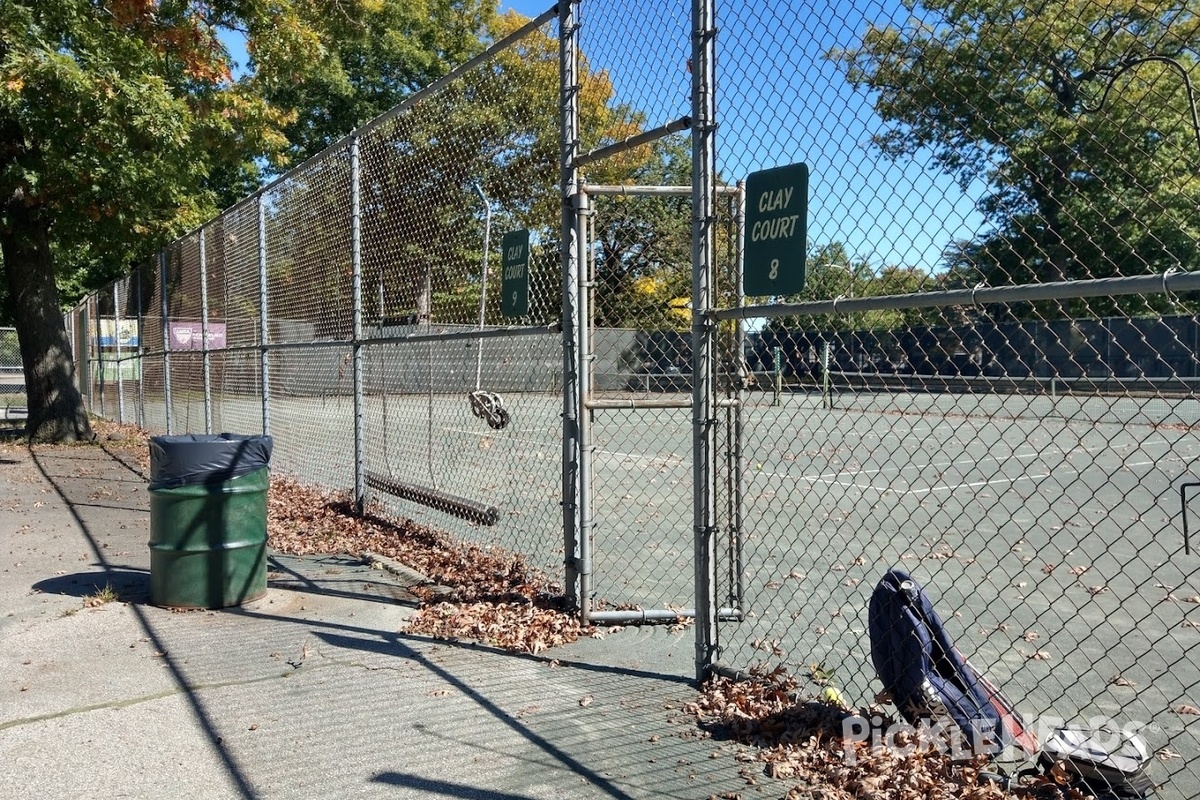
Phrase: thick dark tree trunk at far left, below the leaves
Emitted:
{"points": [[56, 407]]}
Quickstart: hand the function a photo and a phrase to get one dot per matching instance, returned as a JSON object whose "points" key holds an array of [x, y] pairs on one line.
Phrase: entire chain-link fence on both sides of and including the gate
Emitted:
{"points": [[986, 378]]}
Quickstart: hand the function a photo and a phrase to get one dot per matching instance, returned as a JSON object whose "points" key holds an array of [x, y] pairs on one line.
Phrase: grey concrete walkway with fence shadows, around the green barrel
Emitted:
{"points": [[311, 691]]}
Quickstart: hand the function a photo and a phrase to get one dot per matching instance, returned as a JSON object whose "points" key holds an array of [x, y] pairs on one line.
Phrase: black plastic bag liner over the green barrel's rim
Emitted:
{"points": [[197, 460]]}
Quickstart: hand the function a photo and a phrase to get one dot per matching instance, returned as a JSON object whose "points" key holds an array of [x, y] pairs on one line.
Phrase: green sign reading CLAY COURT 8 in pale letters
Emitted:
{"points": [[777, 231]]}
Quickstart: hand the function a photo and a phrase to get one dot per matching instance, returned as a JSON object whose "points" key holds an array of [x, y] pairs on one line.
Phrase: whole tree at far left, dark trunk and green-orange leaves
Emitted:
{"points": [[119, 127]]}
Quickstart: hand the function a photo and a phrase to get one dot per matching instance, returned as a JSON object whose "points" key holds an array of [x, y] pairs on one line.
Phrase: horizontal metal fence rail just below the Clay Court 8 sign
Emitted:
{"points": [[1161, 284]]}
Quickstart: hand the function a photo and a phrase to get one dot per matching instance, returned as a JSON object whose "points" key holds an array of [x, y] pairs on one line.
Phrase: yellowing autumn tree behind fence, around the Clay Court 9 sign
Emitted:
{"points": [[491, 134]]}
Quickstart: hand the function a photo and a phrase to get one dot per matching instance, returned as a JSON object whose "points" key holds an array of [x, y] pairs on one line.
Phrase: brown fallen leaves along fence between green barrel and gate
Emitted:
{"points": [[475, 593]]}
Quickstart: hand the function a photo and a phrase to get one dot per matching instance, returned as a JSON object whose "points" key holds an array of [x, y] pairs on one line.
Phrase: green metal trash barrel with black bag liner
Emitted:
{"points": [[208, 520]]}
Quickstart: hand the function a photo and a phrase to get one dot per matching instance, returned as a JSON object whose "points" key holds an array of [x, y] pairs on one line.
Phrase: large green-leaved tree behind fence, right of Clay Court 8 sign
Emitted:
{"points": [[1048, 106]]}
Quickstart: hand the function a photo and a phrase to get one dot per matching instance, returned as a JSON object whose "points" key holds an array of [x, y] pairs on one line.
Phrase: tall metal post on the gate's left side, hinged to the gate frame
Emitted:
{"points": [[569, 122]]}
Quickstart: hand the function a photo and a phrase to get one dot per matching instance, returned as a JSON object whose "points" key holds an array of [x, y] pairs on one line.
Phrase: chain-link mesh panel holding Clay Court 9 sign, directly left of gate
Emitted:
{"points": [[463, 400]]}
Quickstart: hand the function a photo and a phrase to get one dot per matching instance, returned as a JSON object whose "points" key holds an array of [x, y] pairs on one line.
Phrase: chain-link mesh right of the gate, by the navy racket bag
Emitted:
{"points": [[1022, 460]]}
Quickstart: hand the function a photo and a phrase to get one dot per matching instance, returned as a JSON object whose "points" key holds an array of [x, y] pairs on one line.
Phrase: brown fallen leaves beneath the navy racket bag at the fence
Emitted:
{"points": [[801, 741]]}
